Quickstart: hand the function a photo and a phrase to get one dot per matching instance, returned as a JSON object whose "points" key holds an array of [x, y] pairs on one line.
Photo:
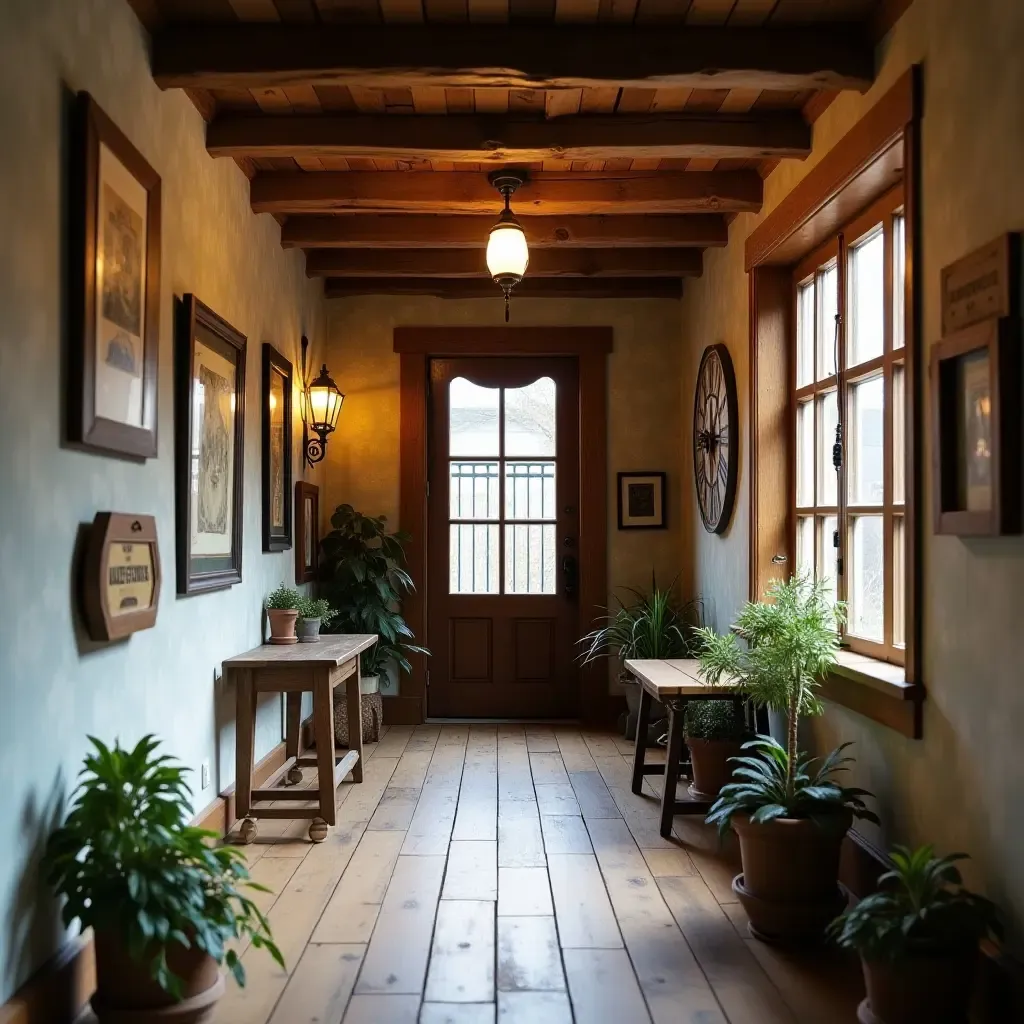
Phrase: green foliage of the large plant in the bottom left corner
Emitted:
{"points": [[130, 866]]}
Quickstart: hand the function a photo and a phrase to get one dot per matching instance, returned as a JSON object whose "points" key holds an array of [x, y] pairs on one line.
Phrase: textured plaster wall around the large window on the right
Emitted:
{"points": [[963, 786]]}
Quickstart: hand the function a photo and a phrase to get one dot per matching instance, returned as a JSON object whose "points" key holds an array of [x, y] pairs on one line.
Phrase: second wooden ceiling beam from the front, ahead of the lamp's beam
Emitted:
{"points": [[473, 140]]}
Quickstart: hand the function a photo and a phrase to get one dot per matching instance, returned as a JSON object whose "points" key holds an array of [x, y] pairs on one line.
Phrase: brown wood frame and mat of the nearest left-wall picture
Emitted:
{"points": [[88, 428]]}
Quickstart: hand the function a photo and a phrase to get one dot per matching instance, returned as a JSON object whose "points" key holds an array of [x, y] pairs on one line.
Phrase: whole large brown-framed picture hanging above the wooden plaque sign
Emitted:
{"points": [[115, 291]]}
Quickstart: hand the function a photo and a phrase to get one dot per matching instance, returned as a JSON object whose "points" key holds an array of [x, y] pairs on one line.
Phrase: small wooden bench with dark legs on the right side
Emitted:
{"points": [[674, 684]]}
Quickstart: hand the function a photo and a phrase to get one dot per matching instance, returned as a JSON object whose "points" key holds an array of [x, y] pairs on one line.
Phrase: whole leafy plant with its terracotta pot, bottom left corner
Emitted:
{"points": [[163, 904]]}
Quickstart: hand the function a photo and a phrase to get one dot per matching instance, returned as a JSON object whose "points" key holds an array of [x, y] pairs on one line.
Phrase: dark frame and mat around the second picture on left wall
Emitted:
{"points": [[198, 572]]}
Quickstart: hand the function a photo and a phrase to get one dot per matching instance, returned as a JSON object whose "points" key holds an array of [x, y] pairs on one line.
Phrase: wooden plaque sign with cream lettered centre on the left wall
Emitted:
{"points": [[121, 576]]}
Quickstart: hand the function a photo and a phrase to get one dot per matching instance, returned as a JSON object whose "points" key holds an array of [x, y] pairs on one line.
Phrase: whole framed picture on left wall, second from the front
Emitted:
{"points": [[209, 443]]}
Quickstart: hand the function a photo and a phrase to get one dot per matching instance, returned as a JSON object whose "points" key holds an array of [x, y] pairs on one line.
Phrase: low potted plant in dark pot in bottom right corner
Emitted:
{"points": [[918, 941]]}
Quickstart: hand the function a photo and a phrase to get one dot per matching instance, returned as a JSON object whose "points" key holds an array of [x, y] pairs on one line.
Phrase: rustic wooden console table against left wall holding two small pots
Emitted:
{"points": [[294, 670]]}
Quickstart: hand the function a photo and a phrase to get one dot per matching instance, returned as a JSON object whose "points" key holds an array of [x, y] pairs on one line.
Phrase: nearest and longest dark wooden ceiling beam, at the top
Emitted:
{"points": [[521, 57]]}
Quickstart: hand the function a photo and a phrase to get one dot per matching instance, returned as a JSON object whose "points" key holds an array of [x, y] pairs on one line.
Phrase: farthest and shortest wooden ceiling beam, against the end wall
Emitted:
{"points": [[483, 288]]}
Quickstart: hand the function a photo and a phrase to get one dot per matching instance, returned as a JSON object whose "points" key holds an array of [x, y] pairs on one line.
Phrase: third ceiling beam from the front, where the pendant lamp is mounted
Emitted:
{"points": [[546, 193]]}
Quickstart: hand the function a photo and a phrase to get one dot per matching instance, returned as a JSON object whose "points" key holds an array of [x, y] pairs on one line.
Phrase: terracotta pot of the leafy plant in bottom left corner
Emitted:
{"points": [[126, 995]]}
